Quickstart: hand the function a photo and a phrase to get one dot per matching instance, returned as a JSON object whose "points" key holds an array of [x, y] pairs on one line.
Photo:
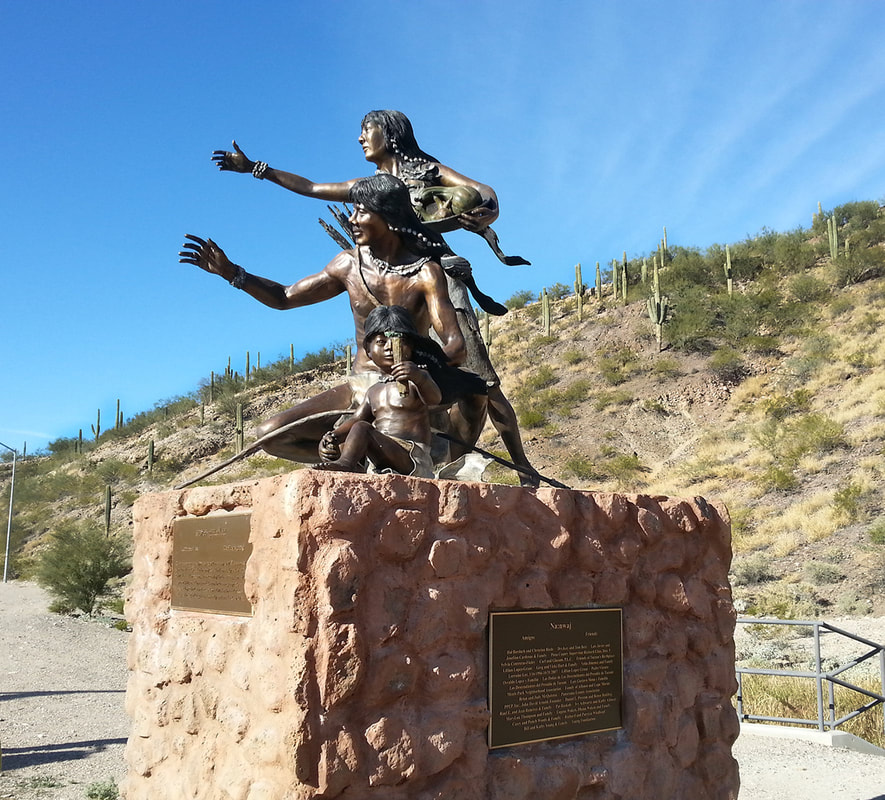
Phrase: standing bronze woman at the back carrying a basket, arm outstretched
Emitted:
{"points": [[388, 141]]}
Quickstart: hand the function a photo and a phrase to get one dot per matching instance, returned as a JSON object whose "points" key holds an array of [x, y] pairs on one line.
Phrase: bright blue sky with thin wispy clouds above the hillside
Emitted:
{"points": [[597, 123]]}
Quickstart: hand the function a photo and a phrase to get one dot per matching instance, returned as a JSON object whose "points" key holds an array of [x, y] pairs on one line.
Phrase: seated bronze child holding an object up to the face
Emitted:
{"points": [[391, 427]]}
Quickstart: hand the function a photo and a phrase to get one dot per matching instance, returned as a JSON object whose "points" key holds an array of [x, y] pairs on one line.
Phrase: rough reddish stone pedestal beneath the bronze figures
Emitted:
{"points": [[363, 672]]}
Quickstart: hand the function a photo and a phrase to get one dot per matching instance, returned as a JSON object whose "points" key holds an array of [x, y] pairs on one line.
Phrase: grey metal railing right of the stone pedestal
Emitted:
{"points": [[826, 716]]}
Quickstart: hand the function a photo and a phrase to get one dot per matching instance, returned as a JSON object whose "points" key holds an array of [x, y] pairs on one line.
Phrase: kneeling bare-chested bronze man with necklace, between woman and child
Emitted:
{"points": [[394, 262]]}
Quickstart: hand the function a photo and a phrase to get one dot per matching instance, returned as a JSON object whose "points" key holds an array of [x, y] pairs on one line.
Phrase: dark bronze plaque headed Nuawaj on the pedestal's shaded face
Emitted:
{"points": [[554, 674]]}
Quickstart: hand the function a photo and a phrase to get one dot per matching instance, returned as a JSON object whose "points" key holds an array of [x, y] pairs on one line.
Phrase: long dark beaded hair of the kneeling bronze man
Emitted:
{"points": [[388, 196]]}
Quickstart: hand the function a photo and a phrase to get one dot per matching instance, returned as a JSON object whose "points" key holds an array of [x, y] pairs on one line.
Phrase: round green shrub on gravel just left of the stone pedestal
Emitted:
{"points": [[80, 563]]}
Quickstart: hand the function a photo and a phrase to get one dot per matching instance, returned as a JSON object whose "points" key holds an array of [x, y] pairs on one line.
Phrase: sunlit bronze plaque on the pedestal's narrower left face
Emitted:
{"points": [[209, 557]]}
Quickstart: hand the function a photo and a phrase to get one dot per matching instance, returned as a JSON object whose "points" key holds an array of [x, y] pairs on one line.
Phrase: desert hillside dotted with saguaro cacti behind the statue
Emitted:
{"points": [[765, 392]]}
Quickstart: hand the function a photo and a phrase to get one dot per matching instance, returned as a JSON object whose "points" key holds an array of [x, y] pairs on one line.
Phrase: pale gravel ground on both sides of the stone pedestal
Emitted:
{"points": [[63, 725]]}
